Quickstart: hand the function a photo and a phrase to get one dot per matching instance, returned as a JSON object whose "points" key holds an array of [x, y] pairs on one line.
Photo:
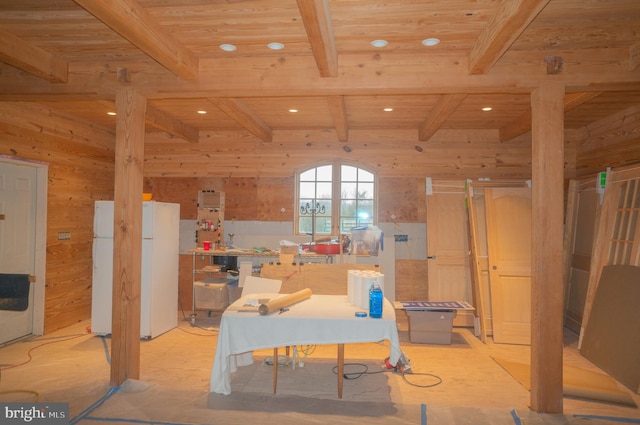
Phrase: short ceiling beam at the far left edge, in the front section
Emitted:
{"points": [[32, 59]]}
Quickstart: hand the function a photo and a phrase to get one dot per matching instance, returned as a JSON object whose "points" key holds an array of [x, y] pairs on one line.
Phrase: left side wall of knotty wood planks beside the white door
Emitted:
{"points": [[80, 159]]}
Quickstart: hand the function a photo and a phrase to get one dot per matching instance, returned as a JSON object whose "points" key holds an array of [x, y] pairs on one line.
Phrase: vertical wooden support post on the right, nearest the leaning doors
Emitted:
{"points": [[547, 134]]}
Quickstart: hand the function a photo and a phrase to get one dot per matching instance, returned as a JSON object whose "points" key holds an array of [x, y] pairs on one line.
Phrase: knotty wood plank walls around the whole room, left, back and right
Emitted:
{"points": [[80, 157]]}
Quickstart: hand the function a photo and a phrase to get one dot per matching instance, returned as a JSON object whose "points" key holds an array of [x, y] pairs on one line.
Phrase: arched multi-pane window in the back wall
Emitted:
{"points": [[334, 198]]}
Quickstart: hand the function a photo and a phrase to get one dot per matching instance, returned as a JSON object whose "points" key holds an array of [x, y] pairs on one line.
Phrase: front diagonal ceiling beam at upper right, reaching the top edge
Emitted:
{"points": [[509, 21]]}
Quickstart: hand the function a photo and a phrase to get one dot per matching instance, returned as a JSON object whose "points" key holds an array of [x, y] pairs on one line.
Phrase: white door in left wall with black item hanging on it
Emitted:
{"points": [[17, 240]]}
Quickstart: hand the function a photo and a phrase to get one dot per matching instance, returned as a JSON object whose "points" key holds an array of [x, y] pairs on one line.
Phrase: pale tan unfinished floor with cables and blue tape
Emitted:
{"points": [[72, 365]]}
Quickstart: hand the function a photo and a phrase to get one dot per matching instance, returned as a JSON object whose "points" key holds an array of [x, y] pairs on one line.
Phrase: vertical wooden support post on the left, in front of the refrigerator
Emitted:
{"points": [[127, 236]]}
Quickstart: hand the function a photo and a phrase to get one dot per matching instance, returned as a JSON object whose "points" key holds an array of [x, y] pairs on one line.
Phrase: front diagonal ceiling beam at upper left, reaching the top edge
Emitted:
{"points": [[131, 21]]}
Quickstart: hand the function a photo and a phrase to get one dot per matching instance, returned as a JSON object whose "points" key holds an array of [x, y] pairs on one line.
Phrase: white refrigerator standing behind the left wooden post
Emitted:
{"points": [[160, 257]]}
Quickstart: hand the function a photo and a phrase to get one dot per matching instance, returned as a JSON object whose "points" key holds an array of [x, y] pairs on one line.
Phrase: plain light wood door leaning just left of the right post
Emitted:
{"points": [[508, 213]]}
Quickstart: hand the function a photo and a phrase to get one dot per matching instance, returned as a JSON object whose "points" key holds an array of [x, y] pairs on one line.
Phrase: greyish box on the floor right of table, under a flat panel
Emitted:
{"points": [[431, 326]]}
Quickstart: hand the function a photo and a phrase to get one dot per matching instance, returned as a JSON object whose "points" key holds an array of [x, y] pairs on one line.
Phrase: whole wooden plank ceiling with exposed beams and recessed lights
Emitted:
{"points": [[71, 55]]}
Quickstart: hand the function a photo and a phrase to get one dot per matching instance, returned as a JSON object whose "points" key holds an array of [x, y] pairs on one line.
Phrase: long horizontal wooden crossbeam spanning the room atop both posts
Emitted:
{"points": [[595, 70]]}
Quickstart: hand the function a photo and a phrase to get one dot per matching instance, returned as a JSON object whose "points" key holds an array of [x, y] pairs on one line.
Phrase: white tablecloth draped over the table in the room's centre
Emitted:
{"points": [[321, 319]]}
